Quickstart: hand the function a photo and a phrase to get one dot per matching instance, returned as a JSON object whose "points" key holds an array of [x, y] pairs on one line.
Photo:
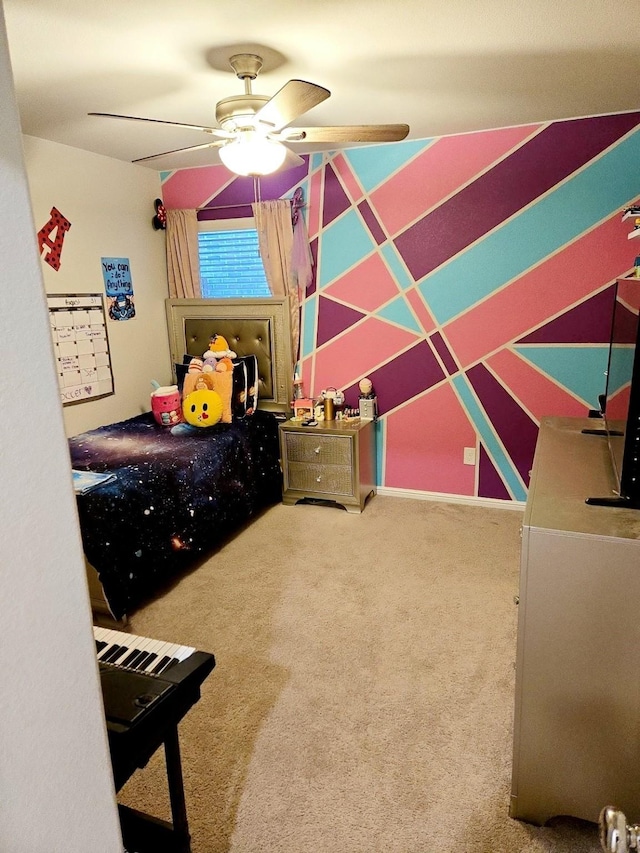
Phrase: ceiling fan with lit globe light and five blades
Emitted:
{"points": [[253, 129]]}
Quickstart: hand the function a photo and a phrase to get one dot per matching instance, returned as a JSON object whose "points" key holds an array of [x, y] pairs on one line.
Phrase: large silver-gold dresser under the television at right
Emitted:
{"points": [[576, 745]]}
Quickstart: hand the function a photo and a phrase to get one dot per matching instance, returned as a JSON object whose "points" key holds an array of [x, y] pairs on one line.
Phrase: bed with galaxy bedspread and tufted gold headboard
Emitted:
{"points": [[167, 501]]}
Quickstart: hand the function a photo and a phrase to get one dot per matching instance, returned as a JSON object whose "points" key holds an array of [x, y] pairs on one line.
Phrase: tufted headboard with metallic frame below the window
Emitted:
{"points": [[251, 326]]}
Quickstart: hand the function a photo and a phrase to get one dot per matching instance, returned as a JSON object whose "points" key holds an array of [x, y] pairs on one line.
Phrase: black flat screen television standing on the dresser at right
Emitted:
{"points": [[620, 404]]}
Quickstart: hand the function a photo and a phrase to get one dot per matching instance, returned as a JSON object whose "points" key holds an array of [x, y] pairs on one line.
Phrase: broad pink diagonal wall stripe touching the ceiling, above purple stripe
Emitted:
{"points": [[440, 170]]}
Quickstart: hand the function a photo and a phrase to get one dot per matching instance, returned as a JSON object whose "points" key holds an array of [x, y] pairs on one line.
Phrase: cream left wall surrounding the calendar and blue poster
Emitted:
{"points": [[110, 206]]}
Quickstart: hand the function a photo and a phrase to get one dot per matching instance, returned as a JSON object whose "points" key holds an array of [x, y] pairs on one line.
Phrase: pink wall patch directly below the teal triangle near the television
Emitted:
{"points": [[537, 393]]}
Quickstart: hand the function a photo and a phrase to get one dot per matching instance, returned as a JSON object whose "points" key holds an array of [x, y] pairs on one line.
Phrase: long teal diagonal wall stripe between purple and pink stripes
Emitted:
{"points": [[555, 220]]}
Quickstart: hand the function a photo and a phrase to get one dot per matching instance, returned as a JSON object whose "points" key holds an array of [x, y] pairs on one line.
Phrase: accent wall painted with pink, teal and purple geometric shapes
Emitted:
{"points": [[470, 277]]}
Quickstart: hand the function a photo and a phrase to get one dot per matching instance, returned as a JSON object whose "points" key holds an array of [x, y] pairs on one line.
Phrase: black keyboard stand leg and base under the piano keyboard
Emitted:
{"points": [[143, 833]]}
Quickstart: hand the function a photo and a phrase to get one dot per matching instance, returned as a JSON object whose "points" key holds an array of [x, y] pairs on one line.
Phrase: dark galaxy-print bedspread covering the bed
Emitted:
{"points": [[173, 498]]}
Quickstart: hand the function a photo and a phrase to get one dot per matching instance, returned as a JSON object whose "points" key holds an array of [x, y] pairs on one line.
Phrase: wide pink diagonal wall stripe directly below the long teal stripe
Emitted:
{"points": [[564, 279]]}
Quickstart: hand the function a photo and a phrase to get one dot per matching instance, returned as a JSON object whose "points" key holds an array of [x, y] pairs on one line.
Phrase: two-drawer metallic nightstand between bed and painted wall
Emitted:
{"points": [[333, 462]]}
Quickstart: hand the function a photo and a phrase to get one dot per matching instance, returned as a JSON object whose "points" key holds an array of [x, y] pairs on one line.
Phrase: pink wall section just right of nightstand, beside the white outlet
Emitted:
{"points": [[435, 462]]}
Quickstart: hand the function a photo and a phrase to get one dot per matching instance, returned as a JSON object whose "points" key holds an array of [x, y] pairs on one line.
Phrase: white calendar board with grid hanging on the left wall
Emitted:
{"points": [[81, 346]]}
